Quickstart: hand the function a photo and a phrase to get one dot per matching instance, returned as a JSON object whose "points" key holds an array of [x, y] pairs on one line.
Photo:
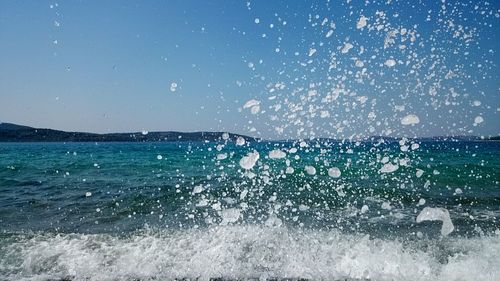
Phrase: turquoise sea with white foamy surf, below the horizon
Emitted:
{"points": [[318, 210]]}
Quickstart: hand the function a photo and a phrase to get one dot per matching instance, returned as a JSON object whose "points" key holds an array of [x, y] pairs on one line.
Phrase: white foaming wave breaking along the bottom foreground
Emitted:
{"points": [[242, 252]]}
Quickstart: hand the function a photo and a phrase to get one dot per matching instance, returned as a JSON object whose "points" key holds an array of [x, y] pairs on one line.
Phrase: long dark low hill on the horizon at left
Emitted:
{"points": [[18, 133]]}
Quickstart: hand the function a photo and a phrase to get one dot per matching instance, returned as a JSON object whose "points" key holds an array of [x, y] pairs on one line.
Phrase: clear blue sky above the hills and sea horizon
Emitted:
{"points": [[315, 68]]}
